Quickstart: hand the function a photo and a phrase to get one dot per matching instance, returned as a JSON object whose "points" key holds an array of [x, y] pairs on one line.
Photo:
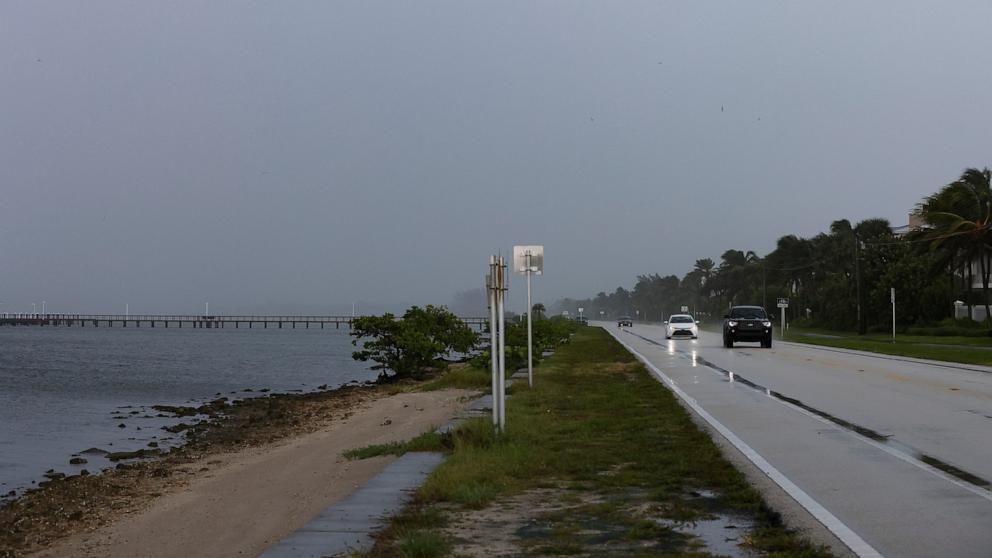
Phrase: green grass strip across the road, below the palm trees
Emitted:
{"points": [[962, 350]]}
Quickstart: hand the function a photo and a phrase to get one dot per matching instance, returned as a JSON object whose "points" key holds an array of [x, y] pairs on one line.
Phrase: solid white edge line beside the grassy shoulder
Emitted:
{"points": [[836, 526]]}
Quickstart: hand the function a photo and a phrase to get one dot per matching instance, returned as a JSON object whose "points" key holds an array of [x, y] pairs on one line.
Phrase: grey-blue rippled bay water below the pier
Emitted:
{"points": [[64, 390]]}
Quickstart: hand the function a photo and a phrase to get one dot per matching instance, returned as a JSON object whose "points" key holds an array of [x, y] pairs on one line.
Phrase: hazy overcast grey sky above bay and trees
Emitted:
{"points": [[300, 156]]}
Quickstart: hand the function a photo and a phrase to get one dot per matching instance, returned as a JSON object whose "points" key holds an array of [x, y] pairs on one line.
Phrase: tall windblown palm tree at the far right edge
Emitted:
{"points": [[960, 220]]}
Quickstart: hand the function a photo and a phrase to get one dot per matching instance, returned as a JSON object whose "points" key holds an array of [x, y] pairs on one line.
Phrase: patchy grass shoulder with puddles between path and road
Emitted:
{"points": [[598, 459]]}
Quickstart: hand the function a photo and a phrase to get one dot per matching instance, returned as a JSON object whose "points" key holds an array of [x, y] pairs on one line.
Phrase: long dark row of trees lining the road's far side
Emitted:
{"points": [[840, 278]]}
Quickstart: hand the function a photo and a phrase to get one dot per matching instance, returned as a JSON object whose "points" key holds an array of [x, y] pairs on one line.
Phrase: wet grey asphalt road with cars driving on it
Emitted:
{"points": [[899, 450]]}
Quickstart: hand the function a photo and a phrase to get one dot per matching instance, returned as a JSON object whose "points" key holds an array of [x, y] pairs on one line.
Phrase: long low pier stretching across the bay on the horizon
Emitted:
{"points": [[200, 321]]}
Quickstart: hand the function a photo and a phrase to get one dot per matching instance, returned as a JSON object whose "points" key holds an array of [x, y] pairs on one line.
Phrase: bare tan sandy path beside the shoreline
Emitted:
{"points": [[246, 501]]}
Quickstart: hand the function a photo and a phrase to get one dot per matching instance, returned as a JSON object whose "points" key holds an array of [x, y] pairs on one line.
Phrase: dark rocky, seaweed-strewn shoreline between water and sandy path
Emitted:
{"points": [[65, 504]]}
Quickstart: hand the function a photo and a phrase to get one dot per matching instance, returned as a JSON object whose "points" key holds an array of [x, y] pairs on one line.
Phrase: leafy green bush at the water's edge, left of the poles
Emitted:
{"points": [[410, 345]]}
